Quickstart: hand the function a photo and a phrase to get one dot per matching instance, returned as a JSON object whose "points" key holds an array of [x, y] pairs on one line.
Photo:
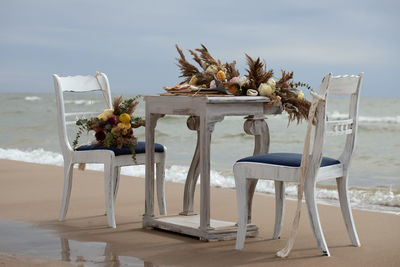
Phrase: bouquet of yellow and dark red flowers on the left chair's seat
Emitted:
{"points": [[114, 127]]}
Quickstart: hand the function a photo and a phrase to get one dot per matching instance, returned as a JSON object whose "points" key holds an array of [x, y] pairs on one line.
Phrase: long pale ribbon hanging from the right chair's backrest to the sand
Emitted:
{"points": [[303, 172]]}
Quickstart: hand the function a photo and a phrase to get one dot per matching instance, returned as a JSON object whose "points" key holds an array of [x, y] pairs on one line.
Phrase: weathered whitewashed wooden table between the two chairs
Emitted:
{"points": [[204, 112]]}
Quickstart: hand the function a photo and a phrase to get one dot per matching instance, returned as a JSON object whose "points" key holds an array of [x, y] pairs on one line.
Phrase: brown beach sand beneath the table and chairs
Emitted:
{"points": [[32, 193]]}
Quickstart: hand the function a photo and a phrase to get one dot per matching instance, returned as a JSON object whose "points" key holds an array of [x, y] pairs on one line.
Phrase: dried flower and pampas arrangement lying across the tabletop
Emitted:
{"points": [[217, 78]]}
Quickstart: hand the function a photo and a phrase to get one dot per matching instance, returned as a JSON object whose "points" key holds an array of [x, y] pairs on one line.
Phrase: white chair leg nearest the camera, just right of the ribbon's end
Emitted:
{"points": [[309, 193]]}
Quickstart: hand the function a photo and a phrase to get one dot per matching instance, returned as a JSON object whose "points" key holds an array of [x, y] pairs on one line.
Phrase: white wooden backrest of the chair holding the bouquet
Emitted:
{"points": [[77, 84]]}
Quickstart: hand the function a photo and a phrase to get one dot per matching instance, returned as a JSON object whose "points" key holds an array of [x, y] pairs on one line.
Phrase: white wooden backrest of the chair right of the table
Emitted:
{"points": [[343, 86]]}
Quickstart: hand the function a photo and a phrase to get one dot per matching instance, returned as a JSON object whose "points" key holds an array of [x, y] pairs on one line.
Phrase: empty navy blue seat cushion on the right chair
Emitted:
{"points": [[285, 159]]}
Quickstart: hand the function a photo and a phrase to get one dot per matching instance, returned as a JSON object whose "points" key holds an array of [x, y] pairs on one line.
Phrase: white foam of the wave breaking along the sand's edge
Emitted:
{"points": [[379, 199]]}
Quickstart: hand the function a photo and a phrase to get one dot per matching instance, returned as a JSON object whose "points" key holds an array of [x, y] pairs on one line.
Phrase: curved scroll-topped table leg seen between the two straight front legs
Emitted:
{"points": [[193, 123]]}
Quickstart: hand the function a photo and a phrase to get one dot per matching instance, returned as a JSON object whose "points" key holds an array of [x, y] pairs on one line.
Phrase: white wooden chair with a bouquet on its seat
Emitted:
{"points": [[112, 161]]}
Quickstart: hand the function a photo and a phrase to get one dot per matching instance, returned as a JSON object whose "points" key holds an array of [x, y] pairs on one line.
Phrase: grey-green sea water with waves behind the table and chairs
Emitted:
{"points": [[28, 132]]}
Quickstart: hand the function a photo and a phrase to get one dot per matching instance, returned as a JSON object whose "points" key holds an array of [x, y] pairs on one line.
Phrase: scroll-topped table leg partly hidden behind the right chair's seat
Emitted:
{"points": [[259, 128]]}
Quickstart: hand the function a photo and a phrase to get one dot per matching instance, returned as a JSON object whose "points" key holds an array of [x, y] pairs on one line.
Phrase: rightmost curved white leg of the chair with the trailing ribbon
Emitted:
{"points": [[346, 210]]}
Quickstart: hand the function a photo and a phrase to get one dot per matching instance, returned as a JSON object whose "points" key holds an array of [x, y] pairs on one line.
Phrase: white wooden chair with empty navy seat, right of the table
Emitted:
{"points": [[285, 167]]}
